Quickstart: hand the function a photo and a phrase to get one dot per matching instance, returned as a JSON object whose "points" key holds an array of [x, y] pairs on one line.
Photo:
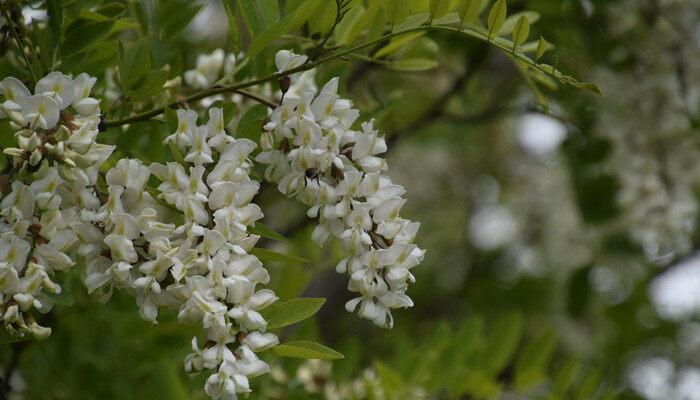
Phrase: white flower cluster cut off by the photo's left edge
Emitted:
{"points": [[49, 182]]}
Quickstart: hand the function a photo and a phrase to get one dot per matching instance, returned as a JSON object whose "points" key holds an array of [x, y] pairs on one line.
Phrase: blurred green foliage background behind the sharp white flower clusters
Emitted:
{"points": [[562, 243]]}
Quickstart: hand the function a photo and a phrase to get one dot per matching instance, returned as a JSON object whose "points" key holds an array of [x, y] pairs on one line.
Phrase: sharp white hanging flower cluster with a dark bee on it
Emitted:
{"points": [[313, 154]]}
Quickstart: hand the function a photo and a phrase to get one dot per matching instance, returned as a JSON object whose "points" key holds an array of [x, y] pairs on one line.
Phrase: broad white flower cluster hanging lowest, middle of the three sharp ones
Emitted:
{"points": [[202, 267]]}
